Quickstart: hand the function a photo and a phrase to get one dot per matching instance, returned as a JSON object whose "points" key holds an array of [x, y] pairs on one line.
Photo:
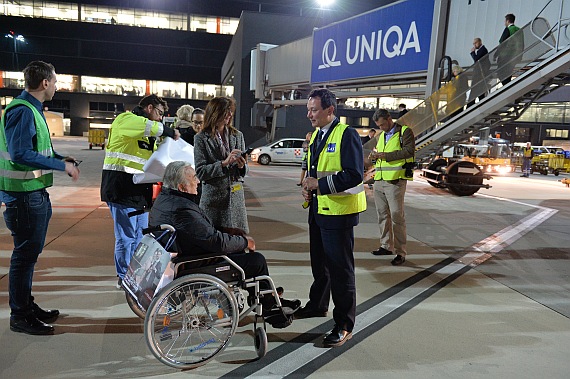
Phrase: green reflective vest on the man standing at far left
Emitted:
{"points": [[18, 177]]}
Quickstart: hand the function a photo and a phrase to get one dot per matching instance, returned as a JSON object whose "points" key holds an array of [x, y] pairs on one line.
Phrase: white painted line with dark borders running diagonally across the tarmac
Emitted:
{"points": [[304, 354]]}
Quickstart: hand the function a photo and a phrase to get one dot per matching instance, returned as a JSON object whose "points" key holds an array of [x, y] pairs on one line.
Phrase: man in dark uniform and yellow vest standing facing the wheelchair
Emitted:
{"points": [[335, 192]]}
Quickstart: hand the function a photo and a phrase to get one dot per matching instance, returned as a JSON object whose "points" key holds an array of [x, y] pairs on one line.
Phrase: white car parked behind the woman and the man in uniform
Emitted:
{"points": [[286, 150]]}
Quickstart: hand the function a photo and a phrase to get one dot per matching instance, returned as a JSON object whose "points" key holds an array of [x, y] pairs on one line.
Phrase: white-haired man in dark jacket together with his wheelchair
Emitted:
{"points": [[192, 319]]}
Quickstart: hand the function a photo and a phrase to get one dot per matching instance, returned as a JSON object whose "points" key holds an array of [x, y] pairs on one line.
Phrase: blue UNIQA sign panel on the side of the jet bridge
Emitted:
{"points": [[386, 41]]}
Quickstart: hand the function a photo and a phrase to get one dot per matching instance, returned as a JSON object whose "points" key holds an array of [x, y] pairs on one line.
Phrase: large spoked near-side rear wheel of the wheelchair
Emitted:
{"points": [[190, 321]]}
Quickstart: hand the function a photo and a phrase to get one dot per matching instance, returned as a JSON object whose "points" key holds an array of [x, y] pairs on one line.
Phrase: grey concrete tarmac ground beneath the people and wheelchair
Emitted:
{"points": [[484, 292]]}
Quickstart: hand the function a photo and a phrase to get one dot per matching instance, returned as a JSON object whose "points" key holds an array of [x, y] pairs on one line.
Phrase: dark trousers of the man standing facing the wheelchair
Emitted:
{"points": [[332, 264]]}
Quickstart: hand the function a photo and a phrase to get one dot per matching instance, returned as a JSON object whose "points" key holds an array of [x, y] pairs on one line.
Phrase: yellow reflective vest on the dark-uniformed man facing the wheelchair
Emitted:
{"points": [[350, 201]]}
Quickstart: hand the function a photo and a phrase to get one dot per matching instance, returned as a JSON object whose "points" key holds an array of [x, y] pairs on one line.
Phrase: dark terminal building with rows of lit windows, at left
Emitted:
{"points": [[110, 53]]}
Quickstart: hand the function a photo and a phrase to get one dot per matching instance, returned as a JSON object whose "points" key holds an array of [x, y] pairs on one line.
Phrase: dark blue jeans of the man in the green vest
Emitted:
{"points": [[27, 217]]}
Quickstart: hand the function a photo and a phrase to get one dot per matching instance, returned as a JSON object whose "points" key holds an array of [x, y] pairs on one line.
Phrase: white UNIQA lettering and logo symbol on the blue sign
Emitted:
{"points": [[373, 47]]}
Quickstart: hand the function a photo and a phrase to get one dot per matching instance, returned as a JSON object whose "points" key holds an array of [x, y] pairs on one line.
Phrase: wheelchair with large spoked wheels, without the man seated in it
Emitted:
{"points": [[192, 319]]}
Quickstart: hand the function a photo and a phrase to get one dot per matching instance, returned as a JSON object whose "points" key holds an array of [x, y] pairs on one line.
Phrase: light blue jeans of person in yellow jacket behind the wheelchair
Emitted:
{"points": [[128, 234]]}
